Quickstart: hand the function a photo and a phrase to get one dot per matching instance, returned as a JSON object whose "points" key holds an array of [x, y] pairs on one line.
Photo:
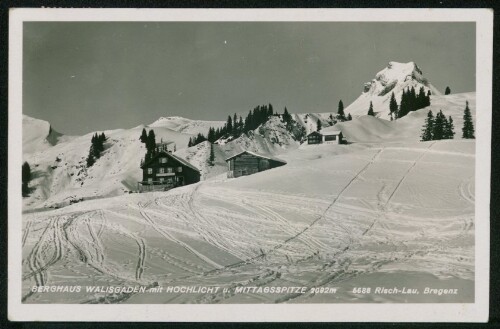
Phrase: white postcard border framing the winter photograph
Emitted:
{"points": [[435, 312]]}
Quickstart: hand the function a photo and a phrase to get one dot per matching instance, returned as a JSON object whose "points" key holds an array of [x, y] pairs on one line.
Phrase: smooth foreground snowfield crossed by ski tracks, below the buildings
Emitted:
{"points": [[361, 215]]}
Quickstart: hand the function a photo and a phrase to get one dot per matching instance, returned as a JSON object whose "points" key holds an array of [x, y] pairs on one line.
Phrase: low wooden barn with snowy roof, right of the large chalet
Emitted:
{"points": [[248, 163]]}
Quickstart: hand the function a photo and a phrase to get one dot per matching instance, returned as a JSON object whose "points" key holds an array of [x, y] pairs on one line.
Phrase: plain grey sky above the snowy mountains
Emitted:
{"points": [[84, 77]]}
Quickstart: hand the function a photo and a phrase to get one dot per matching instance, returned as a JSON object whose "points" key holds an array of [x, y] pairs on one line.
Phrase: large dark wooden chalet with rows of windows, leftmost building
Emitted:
{"points": [[165, 171]]}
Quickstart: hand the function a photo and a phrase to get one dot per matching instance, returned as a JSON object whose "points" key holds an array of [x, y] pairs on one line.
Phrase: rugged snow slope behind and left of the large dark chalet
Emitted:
{"points": [[59, 168]]}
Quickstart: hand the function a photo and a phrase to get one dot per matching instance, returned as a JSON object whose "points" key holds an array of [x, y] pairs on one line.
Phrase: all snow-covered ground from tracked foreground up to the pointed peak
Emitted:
{"points": [[382, 211]]}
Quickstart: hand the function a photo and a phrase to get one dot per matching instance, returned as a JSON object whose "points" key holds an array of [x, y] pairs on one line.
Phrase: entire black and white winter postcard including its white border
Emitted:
{"points": [[251, 160]]}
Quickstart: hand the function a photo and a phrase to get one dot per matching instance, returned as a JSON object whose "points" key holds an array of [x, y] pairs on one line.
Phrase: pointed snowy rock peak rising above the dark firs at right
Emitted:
{"points": [[395, 78]]}
